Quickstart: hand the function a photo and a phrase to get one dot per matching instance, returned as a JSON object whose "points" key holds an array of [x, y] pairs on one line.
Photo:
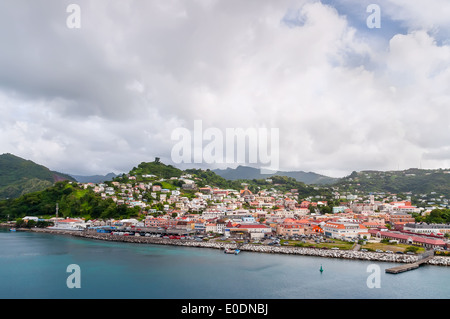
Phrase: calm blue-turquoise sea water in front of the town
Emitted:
{"points": [[34, 265]]}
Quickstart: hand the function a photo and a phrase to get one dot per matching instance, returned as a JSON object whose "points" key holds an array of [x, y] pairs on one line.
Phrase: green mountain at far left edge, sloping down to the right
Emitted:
{"points": [[19, 176]]}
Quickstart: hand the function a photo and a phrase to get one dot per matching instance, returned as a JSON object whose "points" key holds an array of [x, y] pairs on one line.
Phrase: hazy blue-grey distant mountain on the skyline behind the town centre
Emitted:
{"points": [[245, 172]]}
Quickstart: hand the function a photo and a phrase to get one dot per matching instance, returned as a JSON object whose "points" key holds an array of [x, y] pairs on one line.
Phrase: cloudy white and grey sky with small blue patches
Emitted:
{"points": [[108, 95]]}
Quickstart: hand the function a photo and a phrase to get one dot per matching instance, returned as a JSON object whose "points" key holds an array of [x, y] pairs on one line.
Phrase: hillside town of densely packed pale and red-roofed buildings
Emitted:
{"points": [[267, 217]]}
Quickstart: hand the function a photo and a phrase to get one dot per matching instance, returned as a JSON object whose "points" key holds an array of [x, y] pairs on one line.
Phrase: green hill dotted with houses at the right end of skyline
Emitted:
{"points": [[416, 181]]}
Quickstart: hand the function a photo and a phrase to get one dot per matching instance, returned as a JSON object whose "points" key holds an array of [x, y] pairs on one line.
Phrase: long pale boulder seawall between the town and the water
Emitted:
{"points": [[329, 253]]}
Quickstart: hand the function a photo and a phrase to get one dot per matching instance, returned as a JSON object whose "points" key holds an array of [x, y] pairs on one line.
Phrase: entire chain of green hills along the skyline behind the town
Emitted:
{"points": [[19, 176]]}
